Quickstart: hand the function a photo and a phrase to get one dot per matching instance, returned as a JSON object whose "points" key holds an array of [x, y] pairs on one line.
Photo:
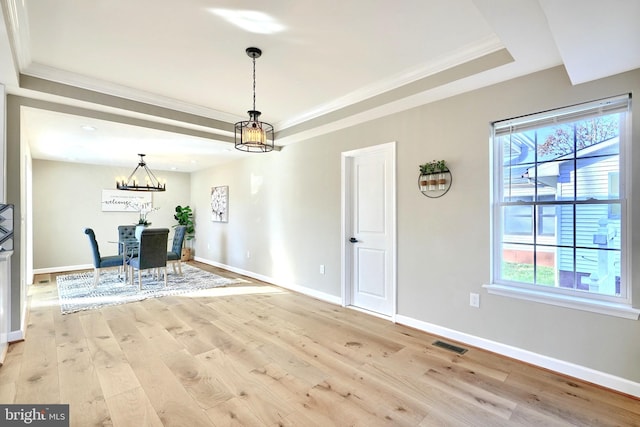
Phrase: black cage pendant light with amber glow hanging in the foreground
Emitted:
{"points": [[253, 135]]}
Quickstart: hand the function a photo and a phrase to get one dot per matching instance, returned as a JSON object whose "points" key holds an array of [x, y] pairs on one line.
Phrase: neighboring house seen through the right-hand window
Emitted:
{"points": [[589, 174]]}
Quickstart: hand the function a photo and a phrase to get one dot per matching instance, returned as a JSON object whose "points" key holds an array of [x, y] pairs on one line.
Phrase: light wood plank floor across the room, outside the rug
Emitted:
{"points": [[257, 355]]}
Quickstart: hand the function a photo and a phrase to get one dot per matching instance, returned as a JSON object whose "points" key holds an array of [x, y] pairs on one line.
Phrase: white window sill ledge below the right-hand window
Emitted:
{"points": [[601, 307]]}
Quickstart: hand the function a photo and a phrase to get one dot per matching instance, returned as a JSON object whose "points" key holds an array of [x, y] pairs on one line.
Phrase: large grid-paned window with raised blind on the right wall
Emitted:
{"points": [[559, 202]]}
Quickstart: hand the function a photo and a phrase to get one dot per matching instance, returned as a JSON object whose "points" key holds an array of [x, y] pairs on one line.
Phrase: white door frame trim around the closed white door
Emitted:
{"points": [[347, 226]]}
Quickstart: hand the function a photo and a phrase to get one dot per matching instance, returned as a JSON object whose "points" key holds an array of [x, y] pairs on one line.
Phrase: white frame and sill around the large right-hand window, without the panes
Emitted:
{"points": [[614, 306]]}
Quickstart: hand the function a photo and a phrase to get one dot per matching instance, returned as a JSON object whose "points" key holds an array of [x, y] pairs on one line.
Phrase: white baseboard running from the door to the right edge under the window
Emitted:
{"points": [[603, 379]]}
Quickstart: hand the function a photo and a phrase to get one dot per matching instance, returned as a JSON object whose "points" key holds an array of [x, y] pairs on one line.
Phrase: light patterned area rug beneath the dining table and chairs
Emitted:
{"points": [[76, 291]]}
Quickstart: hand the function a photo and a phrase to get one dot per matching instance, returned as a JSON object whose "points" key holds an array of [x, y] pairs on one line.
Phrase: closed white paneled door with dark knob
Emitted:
{"points": [[369, 229]]}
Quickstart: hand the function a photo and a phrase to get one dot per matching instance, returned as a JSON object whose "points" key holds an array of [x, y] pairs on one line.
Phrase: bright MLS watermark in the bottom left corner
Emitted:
{"points": [[34, 415]]}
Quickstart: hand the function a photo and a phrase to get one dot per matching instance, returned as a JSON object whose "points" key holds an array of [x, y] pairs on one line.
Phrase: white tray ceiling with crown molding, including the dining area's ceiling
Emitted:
{"points": [[325, 65]]}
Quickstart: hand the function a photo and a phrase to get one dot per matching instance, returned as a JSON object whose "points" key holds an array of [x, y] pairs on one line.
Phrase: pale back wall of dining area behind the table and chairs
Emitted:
{"points": [[67, 198]]}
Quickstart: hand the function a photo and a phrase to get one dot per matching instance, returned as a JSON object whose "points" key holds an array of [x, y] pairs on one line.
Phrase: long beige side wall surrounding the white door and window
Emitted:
{"points": [[285, 210]]}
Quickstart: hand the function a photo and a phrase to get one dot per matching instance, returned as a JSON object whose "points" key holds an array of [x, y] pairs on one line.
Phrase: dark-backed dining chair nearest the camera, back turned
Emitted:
{"points": [[152, 253]]}
